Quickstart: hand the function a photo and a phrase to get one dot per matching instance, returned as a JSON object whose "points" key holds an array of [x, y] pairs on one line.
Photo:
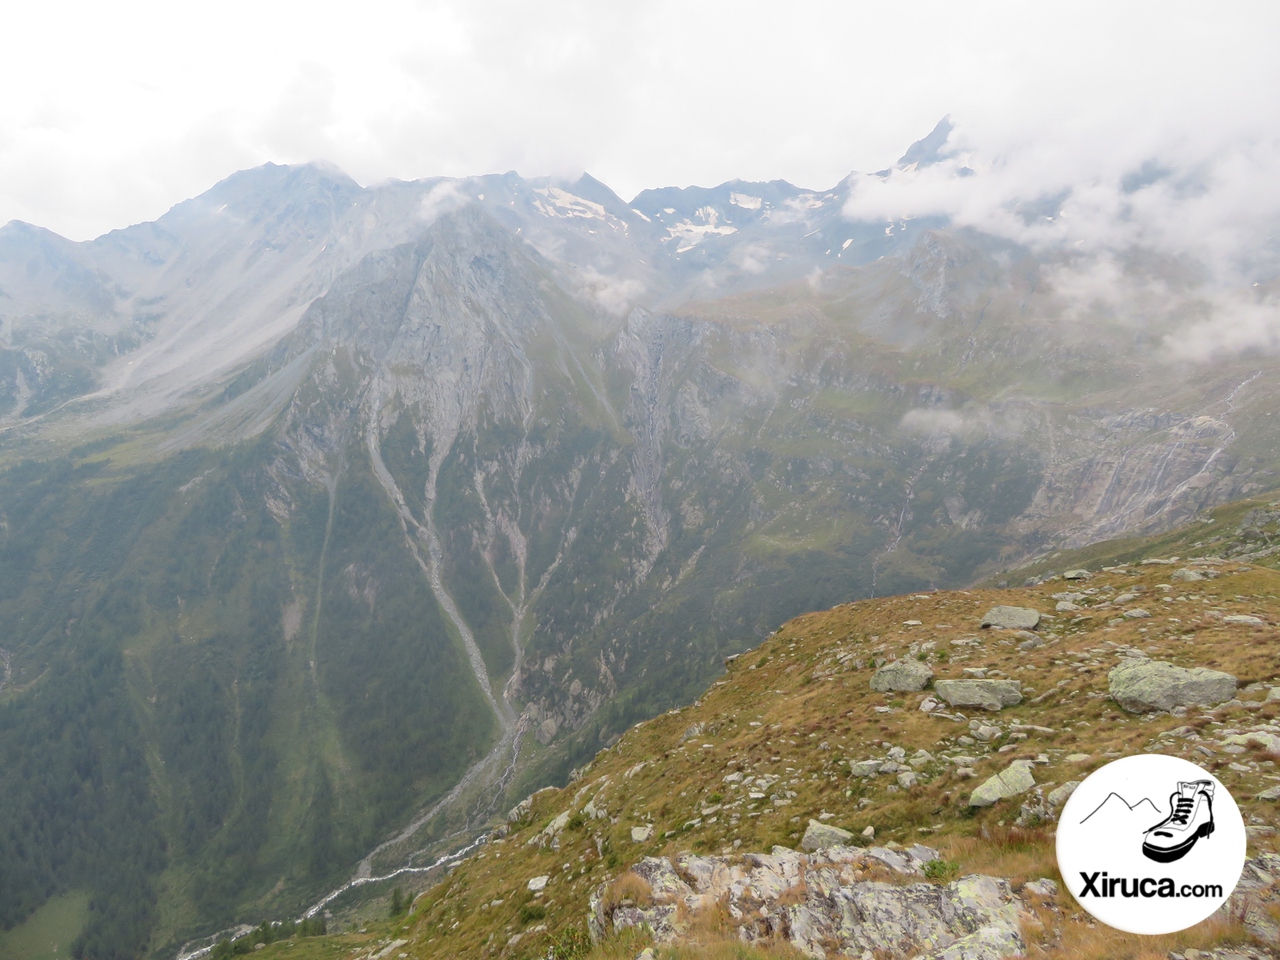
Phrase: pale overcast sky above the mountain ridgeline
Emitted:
{"points": [[115, 112]]}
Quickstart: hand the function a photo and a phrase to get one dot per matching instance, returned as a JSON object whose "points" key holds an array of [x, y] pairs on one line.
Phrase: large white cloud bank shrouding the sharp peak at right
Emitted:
{"points": [[1167, 234]]}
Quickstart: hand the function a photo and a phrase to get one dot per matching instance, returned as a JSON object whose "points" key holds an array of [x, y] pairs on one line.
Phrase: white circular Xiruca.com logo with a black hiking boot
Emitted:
{"points": [[1151, 844]]}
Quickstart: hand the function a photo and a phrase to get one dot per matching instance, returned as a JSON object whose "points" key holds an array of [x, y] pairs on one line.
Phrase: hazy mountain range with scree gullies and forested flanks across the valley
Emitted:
{"points": [[333, 519]]}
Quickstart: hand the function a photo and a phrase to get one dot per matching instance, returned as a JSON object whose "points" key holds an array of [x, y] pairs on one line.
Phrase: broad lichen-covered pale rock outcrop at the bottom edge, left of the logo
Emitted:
{"points": [[828, 900]]}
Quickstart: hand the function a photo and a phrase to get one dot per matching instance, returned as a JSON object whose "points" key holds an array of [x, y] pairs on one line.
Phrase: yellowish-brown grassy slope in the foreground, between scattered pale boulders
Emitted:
{"points": [[793, 711]]}
